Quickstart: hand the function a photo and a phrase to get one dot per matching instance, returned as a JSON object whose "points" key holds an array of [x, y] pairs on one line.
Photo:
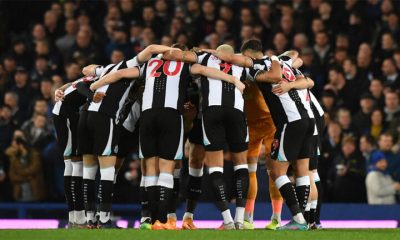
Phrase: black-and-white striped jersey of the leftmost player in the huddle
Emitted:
{"points": [[73, 100]]}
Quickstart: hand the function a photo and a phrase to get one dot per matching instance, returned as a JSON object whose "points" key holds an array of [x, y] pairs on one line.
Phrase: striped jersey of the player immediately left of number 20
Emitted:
{"points": [[115, 93]]}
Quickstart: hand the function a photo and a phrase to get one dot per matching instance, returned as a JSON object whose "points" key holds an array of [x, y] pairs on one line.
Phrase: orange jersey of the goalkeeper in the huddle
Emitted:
{"points": [[254, 104]]}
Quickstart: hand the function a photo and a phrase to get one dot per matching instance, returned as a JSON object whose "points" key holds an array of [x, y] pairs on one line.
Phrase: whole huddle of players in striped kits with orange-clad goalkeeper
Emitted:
{"points": [[144, 105]]}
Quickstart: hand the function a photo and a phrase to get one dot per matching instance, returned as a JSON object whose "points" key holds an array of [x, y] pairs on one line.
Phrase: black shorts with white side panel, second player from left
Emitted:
{"points": [[98, 134]]}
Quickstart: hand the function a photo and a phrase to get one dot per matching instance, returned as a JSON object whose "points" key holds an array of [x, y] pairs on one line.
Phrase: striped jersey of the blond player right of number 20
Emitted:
{"points": [[216, 92]]}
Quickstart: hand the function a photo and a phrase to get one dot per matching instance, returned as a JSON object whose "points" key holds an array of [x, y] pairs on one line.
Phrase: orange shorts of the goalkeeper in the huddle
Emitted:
{"points": [[260, 133]]}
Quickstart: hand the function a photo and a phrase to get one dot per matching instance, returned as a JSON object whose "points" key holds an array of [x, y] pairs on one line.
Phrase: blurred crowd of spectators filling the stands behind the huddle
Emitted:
{"points": [[350, 49]]}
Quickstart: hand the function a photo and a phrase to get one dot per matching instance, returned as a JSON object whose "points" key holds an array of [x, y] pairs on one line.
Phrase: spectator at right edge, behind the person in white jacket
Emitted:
{"points": [[385, 144]]}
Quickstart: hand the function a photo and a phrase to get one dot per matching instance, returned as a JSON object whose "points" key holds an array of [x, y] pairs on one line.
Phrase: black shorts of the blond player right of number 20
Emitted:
{"points": [[224, 126]]}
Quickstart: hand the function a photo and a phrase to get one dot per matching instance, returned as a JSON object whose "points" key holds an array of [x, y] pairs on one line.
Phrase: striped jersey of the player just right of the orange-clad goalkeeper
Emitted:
{"points": [[288, 107]]}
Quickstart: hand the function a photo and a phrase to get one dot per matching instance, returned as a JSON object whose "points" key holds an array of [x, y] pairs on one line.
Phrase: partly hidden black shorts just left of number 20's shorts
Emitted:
{"points": [[128, 142]]}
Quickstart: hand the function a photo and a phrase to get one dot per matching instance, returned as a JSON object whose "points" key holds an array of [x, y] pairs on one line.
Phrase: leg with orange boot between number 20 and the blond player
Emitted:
{"points": [[193, 190]]}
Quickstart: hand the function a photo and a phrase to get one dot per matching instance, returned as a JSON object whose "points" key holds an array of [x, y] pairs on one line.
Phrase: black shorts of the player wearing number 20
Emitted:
{"points": [[161, 134]]}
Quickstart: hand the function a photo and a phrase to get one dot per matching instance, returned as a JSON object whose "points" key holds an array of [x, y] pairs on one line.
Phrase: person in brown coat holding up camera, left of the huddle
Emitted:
{"points": [[25, 170]]}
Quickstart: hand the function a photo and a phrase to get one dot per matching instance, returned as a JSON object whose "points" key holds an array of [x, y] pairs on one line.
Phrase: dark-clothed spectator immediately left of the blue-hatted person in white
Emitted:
{"points": [[350, 173]]}
